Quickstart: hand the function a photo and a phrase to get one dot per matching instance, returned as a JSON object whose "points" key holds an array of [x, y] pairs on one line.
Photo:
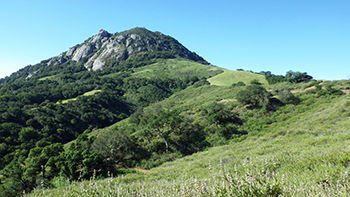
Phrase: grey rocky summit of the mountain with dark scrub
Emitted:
{"points": [[105, 47]]}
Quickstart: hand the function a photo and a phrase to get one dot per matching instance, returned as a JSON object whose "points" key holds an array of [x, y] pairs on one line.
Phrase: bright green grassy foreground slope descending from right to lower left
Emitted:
{"points": [[307, 154]]}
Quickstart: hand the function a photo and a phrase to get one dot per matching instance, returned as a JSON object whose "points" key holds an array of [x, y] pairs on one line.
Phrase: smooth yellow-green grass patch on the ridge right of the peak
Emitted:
{"points": [[227, 78]]}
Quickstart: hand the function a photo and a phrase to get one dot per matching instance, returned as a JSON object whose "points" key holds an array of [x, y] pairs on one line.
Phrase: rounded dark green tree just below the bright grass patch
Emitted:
{"points": [[254, 95]]}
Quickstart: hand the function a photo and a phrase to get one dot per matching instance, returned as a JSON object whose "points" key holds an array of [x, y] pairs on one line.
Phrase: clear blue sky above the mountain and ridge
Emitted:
{"points": [[310, 36]]}
